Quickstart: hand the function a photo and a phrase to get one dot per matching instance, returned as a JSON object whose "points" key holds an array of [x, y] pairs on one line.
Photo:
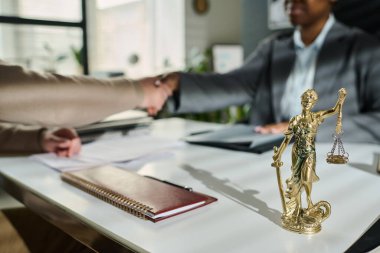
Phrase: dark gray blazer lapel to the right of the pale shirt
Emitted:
{"points": [[329, 64]]}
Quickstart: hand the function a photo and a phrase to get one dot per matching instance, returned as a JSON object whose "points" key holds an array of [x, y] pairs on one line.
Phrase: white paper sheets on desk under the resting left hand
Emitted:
{"points": [[121, 150]]}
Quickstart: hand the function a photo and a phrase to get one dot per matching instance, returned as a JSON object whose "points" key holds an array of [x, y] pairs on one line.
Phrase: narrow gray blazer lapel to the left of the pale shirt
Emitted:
{"points": [[282, 63]]}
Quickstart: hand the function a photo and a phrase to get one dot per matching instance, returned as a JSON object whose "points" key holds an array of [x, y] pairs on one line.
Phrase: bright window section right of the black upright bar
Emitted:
{"points": [[136, 37]]}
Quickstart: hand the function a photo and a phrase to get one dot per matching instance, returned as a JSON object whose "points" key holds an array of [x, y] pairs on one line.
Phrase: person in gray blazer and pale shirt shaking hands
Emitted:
{"points": [[321, 53]]}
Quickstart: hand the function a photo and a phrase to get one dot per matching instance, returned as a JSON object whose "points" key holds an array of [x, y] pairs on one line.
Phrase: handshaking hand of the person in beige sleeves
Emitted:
{"points": [[155, 94]]}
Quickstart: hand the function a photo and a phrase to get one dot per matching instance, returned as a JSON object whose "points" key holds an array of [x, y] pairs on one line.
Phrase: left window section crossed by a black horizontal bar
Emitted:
{"points": [[44, 35]]}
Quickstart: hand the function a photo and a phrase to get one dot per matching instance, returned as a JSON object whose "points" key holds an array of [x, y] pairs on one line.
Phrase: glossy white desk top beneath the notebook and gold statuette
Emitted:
{"points": [[246, 217]]}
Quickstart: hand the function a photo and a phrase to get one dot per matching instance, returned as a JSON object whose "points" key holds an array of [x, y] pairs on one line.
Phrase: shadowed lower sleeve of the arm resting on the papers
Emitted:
{"points": [[20, 138]]}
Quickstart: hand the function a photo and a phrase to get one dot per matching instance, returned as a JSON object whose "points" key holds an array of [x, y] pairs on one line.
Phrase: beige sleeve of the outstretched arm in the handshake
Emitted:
{"points": [[55, 100]]}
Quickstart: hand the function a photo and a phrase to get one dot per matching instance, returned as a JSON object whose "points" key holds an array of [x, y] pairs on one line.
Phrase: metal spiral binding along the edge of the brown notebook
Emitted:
{"points": [[129, 205]]}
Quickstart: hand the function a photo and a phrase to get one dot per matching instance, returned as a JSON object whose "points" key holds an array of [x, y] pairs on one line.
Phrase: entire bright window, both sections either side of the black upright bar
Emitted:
{"points": [[131, 37]]}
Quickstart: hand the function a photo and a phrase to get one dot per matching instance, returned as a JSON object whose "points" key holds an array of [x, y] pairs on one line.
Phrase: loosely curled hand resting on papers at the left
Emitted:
{"points": [[63, 142]]}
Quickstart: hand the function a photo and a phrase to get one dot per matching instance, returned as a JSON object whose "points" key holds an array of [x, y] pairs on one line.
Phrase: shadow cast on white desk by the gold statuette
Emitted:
{"points": [[246, 198]]}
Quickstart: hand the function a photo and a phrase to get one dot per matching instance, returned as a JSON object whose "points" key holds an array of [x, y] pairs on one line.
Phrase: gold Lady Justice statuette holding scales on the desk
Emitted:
{"points": [[304, 129]]}
